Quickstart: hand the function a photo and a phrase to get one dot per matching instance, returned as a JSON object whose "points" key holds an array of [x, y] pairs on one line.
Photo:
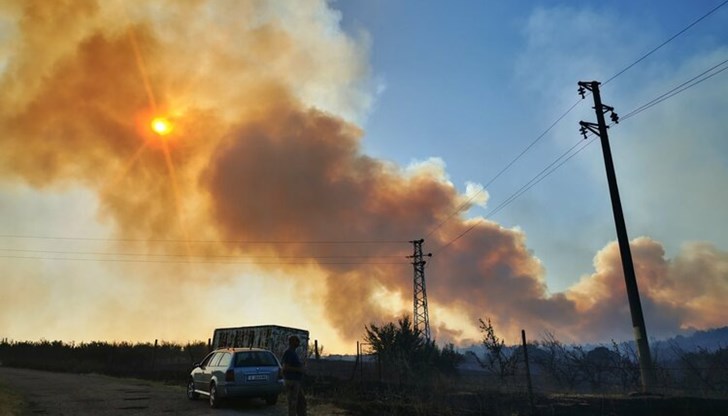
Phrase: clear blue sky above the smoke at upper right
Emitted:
{"points": [[475, 82]]}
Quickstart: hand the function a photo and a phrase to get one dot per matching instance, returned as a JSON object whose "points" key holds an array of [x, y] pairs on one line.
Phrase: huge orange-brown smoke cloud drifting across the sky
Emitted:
{"points": [[264, 169]]}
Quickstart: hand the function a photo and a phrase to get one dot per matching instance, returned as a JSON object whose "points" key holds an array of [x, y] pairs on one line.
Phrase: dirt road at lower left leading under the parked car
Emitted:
{"points": [[49, 393]]}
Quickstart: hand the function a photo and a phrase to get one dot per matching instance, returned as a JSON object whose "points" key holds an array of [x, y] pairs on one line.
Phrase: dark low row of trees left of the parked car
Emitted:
{"points": [[159, 361]]}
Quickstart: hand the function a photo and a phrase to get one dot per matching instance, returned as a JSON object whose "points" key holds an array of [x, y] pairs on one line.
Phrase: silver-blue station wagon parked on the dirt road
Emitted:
{"points": [[236, 372]]}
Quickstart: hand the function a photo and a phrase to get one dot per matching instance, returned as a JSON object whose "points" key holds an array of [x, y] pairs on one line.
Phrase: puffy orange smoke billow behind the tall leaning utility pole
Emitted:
{"points": [[678, 294]]}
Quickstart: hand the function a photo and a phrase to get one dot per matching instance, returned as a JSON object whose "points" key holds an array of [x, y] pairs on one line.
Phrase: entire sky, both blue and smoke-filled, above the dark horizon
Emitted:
{"points": [[308, 142]]}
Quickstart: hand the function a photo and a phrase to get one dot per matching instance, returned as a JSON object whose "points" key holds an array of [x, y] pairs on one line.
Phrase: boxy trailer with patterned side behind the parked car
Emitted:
{"points": [[270, 337]]}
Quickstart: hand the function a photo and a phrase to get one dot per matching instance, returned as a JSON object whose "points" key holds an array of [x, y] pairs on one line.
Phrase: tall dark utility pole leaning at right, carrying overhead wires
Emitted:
{"points": [[633, 295]]}
